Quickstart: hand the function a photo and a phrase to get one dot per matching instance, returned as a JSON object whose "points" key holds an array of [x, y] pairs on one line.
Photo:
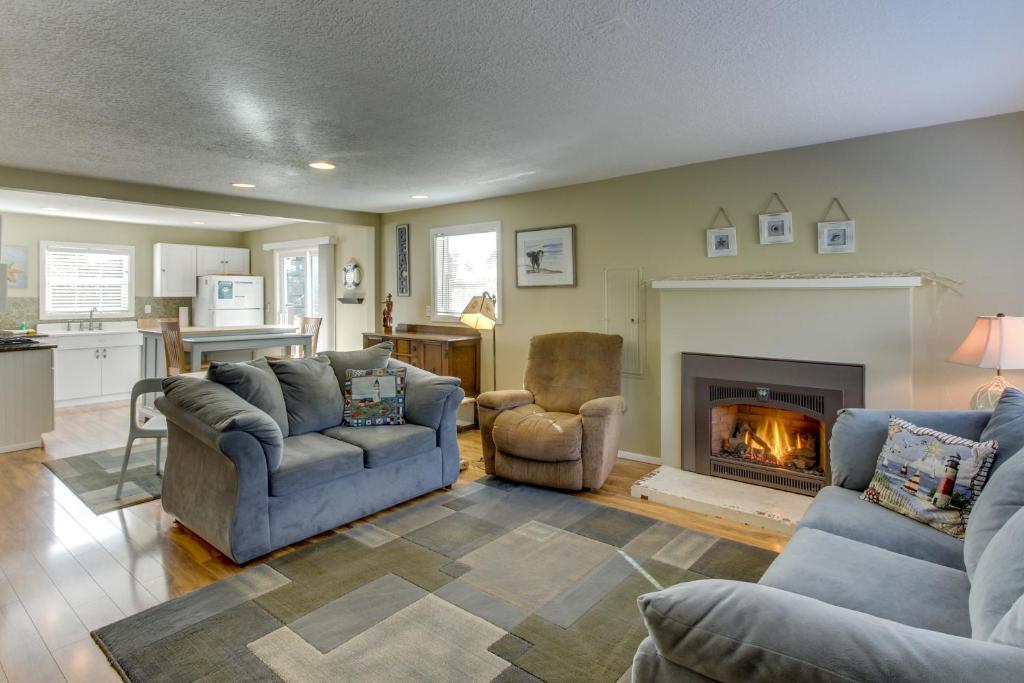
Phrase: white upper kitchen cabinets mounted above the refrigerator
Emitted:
{"points": [[177, 267]]}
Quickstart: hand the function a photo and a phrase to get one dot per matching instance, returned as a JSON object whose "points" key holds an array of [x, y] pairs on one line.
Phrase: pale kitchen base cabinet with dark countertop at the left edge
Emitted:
{"points": [[27, 399]]}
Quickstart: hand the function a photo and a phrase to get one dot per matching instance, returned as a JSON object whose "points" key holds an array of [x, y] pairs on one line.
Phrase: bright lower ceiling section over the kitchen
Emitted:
{"points": [[50, 204]]}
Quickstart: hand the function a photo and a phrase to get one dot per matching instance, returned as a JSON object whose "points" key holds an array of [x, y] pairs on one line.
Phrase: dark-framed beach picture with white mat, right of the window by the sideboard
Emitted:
{"points": [[546, 258]]}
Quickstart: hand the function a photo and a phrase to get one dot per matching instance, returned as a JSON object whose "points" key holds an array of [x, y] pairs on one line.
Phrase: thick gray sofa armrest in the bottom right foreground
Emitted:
{"points": [[734, 631]]}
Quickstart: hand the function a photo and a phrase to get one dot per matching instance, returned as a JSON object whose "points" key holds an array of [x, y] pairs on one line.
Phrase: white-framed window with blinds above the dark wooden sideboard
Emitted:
{"points": [[465, 262]]}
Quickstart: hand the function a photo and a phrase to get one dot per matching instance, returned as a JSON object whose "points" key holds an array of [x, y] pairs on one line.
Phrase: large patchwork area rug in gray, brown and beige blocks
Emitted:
{"points": [[490, 582]]}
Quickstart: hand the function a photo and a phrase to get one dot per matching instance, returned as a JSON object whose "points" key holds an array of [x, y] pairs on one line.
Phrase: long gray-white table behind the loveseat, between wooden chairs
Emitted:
{"points": [[199, 341]]}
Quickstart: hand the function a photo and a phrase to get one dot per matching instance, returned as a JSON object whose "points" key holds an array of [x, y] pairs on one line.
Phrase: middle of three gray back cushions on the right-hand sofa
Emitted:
{"points": [[1003, 497]]}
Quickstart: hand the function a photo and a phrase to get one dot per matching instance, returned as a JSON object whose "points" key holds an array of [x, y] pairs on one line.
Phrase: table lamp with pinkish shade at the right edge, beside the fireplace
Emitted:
{"points": [[995, 341]]}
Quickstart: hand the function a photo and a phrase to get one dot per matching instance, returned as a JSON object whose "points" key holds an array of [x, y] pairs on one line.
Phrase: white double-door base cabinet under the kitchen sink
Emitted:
{"points": [[96, 367]]}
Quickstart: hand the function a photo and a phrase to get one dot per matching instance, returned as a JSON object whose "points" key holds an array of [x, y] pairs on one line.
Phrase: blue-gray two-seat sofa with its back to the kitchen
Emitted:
{"points": [[236, 481]]}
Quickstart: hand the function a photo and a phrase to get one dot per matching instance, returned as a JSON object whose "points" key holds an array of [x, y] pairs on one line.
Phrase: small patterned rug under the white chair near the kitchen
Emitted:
{"points": [[94, 477]]}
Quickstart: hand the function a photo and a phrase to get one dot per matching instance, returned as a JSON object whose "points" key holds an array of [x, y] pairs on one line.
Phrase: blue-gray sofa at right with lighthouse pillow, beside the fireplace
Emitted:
{"points": [[862, 593]]}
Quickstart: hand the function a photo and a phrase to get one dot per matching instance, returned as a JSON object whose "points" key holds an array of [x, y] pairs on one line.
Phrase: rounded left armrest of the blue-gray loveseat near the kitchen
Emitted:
{"points": [[222, 411]]}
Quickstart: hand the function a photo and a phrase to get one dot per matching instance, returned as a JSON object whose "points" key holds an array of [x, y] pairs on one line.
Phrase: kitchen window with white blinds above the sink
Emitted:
{"points": [[79, 278]]}
